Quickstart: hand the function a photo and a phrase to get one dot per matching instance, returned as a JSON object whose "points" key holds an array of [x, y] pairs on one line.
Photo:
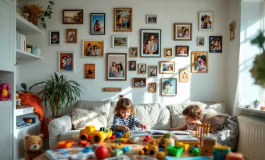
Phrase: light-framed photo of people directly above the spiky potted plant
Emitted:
{"points": [[66, 61]]}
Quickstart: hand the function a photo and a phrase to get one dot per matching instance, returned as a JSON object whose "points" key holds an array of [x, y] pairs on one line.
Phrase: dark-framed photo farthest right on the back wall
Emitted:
{"points": [[215, 44]]}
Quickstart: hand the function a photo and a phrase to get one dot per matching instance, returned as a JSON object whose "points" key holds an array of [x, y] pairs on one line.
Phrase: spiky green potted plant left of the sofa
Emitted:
{"points": [[58, 93]]}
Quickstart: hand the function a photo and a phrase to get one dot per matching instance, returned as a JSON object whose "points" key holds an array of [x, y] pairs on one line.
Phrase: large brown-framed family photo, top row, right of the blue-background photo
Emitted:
{"points": [[123, 20]]}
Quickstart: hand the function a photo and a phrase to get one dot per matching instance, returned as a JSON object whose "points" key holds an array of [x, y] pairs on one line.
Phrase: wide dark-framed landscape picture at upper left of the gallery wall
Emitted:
{"points": [[73, 16]]}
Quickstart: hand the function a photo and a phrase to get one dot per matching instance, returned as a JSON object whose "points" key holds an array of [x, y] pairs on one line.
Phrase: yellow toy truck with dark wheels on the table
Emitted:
{"points": [[91, 134]]}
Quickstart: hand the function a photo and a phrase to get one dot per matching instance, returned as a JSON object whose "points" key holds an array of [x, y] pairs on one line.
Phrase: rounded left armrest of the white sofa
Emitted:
{"points": [[56, 127]]}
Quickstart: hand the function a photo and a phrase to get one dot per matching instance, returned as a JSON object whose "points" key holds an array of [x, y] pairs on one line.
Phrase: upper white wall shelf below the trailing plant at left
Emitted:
{"points": [[24, 26]]}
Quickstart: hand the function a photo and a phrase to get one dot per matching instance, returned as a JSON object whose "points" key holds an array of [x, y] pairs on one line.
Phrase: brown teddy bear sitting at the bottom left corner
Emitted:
{"points": [[33, 146]]}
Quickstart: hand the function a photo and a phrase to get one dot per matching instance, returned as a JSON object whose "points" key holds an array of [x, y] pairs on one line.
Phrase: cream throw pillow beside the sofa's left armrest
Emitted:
{"points": [[82, 118]]}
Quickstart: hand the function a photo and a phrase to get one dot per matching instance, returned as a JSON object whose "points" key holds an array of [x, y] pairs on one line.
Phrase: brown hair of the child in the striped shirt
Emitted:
{"points": [[124, 104]]}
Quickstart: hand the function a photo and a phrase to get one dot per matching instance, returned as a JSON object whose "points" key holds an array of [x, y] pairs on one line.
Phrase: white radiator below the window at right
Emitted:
{"points": [[251, 138]]}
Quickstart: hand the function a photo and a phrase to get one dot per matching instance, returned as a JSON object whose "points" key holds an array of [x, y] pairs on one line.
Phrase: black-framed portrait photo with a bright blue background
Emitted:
{"points": [[97, 23]]}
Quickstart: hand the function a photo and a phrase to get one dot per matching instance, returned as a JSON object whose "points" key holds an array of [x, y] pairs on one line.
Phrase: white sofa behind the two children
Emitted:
{"points": [[155, 116]]}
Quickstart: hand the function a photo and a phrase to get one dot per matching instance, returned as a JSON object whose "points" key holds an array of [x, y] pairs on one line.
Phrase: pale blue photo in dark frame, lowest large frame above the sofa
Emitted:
{"points": [[169, 86]]}
